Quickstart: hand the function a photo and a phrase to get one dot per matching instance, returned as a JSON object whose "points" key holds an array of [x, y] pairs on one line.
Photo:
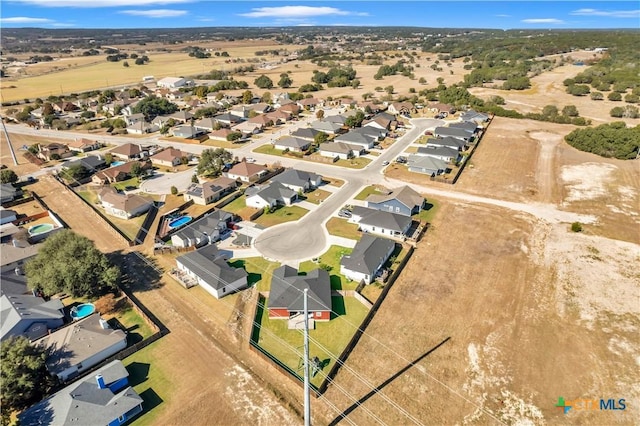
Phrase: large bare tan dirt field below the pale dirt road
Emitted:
{"points": [[533, 312]]}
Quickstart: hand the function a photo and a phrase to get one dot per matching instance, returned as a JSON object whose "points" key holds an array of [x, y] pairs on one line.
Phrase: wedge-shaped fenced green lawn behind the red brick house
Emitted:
{"points": [[326, 342]]}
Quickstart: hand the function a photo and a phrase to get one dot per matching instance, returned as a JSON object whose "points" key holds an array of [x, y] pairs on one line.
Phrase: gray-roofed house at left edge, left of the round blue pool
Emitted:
{"points": [[29, 316]]}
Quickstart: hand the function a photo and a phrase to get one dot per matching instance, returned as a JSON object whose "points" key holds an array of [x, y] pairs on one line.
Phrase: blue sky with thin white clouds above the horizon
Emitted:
{"points": [[513, 14]]}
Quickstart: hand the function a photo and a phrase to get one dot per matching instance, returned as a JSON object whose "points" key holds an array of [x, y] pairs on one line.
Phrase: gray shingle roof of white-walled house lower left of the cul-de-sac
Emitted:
{"points": [[210, 267]]}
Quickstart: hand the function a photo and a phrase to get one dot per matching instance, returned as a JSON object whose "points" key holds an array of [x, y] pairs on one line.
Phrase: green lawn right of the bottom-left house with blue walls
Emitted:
{"points": [[149, 378]]}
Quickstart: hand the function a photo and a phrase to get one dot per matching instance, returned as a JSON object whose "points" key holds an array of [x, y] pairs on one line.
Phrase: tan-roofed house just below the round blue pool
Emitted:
{"points": [[79, 346]]}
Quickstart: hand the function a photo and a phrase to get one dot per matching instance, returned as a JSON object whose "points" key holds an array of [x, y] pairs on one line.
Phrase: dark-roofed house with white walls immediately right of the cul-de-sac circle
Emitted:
{"points": [[367, 258]]}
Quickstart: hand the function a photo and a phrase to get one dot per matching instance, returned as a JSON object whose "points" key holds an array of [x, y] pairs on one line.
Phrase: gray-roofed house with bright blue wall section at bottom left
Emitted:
{"points": [[103, 398]]}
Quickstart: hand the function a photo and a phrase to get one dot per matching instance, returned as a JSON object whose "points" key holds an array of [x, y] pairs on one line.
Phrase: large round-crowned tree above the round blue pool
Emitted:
{"points": [[70, 263]]}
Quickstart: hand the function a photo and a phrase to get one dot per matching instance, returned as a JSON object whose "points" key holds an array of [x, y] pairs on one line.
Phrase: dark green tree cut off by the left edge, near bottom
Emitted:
{"points": [[23, 373]]}
